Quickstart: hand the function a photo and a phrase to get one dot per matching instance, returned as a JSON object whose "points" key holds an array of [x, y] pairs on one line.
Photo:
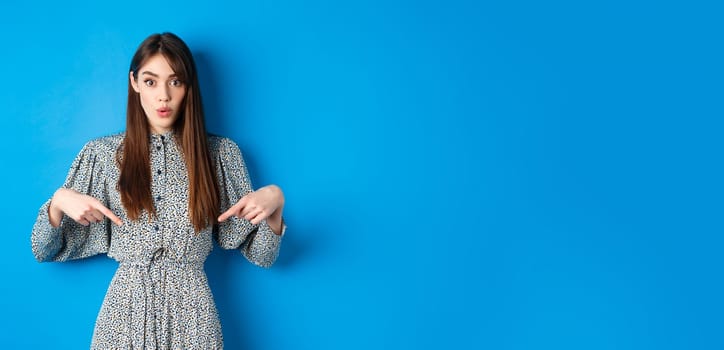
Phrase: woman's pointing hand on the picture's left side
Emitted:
{"points": [[82, 208]]}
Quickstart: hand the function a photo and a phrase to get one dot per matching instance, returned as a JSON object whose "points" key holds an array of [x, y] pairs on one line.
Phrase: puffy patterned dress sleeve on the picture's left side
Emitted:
{"points": [[71, 240]]}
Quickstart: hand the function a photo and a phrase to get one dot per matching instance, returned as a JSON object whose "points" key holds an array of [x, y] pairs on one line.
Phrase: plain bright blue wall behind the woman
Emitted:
{"points": [[458, 173]]}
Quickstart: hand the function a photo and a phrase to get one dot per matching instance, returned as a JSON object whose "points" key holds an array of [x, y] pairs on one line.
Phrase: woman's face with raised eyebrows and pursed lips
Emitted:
{"points": [[161, 93]]}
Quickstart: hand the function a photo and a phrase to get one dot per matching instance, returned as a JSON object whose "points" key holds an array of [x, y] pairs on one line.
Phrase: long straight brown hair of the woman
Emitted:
{"points": [[135, 180]]}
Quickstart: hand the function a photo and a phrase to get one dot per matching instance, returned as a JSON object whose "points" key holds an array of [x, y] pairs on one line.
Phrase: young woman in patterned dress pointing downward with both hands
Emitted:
{"points": [[154, 198]]}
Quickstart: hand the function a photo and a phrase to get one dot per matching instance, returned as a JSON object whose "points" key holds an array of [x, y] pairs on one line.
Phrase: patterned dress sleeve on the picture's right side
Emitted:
{"points": [[258, 243]]}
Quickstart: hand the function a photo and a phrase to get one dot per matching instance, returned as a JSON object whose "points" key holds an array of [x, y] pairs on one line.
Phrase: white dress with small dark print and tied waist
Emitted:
{"points": [[159, 297]]}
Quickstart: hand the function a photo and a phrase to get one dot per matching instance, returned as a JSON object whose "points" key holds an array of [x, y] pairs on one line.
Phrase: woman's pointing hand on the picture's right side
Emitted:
{"points": [[258, 205]]}
